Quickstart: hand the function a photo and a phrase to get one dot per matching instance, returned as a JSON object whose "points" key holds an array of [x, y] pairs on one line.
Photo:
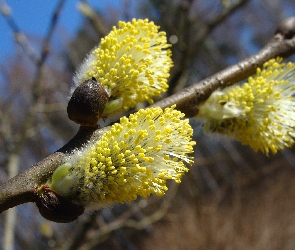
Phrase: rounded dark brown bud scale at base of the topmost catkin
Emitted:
{"points": [[87, 103]]}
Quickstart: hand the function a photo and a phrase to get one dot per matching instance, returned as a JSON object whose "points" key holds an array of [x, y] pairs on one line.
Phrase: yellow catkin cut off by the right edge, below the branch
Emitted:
{"points": [[259, 113]]}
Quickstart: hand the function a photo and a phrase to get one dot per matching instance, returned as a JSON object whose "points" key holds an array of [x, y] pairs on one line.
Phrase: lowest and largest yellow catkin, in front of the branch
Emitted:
{"points": [[135, 157]]}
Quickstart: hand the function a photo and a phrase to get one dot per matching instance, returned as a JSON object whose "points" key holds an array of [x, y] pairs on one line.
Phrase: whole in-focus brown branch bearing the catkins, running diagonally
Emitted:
{"points": [[21, 188]]}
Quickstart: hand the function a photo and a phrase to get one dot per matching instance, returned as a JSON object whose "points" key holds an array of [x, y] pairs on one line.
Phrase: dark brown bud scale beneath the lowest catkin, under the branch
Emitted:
{"points": [[55, 207]]}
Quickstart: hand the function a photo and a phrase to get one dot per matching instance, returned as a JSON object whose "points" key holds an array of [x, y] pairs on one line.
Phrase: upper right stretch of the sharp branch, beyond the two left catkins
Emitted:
{"points": [[189, 99]]}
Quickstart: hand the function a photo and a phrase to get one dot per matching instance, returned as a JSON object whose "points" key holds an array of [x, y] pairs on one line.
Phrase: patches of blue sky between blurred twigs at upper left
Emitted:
{"points": [[33, 18]]}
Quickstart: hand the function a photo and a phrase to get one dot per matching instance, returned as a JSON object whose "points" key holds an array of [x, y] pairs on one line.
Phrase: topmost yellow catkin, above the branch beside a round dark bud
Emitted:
{"points": [[132, 63]]}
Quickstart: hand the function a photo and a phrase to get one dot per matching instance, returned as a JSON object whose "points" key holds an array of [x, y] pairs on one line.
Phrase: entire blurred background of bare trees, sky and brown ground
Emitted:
{"points": [[232, 198]]}
